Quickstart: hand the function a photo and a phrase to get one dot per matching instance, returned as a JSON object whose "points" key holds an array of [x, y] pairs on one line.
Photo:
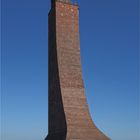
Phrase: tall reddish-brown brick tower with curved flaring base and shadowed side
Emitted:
{"points": [[69, 117]]}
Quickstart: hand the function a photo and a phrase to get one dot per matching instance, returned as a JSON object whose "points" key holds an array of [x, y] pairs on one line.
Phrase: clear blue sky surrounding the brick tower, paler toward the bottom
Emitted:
{"points": [[109, 51]]}
